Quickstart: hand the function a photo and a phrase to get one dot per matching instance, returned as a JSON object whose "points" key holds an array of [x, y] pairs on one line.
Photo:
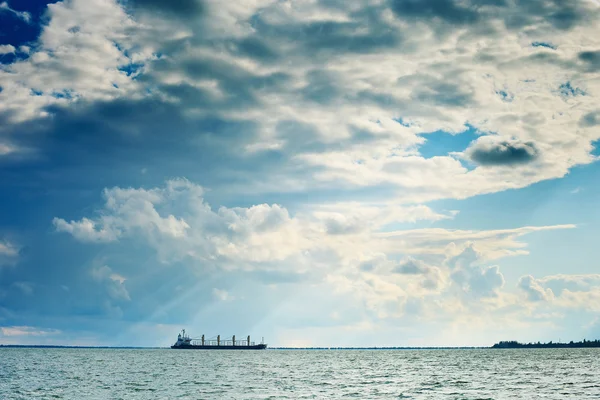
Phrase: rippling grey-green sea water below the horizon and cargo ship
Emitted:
{"points": [[286, 374]]}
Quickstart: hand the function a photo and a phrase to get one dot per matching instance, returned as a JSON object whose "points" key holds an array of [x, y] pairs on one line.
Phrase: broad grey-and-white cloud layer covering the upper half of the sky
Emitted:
{"points": [[311, 122]]}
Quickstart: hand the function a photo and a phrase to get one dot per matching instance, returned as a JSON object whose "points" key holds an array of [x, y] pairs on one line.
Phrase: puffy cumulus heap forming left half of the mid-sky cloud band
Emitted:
{"points": [[260, 232]]}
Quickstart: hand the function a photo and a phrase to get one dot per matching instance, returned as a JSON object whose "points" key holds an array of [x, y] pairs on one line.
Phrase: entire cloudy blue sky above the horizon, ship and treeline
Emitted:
{"points": [[314, 172]]}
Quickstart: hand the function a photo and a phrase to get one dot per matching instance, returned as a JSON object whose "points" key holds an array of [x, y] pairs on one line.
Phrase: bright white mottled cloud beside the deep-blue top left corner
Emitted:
{"points": [[75, 58]]}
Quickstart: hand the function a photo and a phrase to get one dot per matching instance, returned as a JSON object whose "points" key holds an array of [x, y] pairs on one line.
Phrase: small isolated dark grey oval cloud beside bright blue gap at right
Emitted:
{"points": [[490, 152]]}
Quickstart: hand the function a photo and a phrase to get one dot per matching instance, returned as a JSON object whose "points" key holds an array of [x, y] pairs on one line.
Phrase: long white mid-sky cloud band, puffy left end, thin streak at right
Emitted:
{"points": [[179, 224]]}
